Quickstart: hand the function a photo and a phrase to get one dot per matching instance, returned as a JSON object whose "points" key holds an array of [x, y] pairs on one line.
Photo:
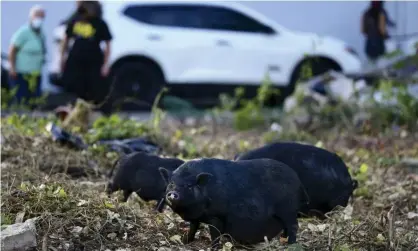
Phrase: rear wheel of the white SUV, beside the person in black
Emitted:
{"points": [[137, 80]]}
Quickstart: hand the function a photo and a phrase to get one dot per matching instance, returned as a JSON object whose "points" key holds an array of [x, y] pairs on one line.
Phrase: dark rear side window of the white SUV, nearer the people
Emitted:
{"points": [[181, 16]]}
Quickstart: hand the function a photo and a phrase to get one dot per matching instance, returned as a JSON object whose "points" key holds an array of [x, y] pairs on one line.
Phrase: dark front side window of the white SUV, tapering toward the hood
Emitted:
{"points": [[220, 18]]}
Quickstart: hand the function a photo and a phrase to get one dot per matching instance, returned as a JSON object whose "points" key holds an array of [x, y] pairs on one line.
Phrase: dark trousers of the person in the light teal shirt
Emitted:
{"points": [[25, 89]]}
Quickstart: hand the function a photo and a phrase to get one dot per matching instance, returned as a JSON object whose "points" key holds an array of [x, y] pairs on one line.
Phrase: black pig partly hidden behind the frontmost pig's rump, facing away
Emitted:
{"points": [[323, 174]]}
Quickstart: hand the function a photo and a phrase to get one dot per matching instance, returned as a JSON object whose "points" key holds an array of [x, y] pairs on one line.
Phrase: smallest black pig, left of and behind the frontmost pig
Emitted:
{"points": [[138, 172]]}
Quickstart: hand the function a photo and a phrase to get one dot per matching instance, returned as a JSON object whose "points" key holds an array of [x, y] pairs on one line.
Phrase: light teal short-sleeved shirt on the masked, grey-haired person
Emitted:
{"points": [[30, 50]]}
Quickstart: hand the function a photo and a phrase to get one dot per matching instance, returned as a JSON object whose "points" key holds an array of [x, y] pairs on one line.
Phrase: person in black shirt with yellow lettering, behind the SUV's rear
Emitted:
{"points": [[85, 69]]}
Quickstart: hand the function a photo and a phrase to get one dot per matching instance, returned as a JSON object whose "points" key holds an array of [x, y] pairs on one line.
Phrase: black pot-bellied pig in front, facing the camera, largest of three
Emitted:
{"points": [[246, 200]]}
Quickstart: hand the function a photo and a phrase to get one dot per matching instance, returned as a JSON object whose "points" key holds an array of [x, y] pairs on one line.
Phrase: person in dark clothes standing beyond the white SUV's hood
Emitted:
{"points": [[373, 27]]}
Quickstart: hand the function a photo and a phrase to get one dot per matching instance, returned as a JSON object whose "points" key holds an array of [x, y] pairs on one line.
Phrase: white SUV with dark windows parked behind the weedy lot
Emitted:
{"points": [[202, 48]]}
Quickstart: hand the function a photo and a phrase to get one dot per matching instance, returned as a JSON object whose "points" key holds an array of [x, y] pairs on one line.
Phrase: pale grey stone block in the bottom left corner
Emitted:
{"points": [[19, 236]]}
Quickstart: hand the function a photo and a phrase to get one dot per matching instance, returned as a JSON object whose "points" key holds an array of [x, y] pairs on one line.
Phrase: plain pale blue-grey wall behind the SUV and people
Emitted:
{"points": [[339, 19]]}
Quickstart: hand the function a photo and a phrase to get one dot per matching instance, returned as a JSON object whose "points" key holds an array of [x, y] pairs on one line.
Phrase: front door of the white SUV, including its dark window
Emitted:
{"points": [[246, 49]]}
